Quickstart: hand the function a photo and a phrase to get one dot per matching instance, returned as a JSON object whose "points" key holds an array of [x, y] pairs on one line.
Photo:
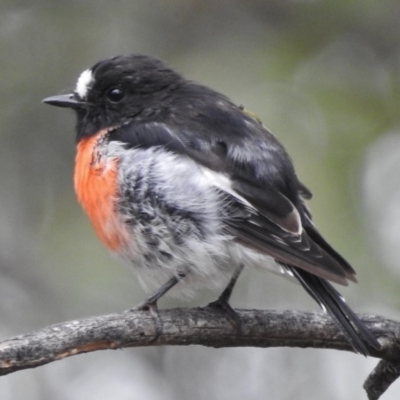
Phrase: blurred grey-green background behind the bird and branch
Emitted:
{"points": [[324, 76]]}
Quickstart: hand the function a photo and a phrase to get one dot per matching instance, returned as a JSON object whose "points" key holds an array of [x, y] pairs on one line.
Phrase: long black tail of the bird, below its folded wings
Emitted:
{"points": [[330, 299]]}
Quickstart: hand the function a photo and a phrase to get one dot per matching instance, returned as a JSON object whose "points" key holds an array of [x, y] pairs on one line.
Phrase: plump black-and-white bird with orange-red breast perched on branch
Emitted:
{"points": [[190, 188]]}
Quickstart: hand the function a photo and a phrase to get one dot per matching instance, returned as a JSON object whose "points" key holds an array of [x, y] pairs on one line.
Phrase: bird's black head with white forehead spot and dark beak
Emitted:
{"points": [[116, 90]]}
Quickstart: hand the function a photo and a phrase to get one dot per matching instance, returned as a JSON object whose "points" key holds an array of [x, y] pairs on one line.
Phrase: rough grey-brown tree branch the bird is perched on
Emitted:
{"points": [[202, 326]]}
